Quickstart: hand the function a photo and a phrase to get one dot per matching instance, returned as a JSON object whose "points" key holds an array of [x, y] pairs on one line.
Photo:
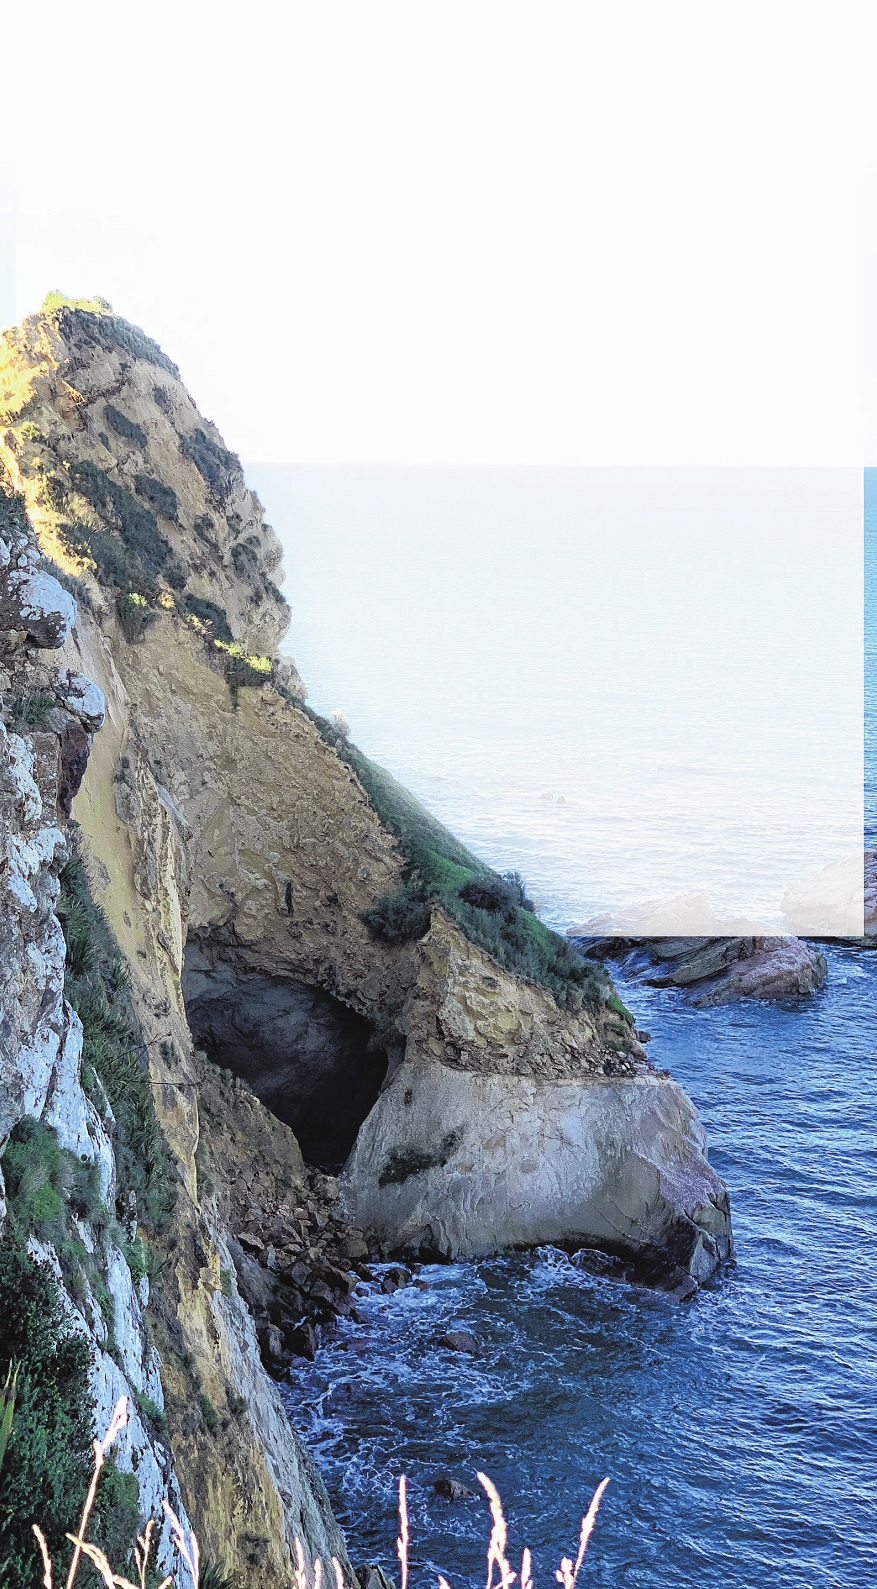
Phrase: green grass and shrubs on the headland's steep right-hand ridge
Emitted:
{"points": [[493, 911]]}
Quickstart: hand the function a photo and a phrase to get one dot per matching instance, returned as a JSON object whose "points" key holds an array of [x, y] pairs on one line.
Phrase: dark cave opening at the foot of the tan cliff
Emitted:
{"points": [[311, 1059]]}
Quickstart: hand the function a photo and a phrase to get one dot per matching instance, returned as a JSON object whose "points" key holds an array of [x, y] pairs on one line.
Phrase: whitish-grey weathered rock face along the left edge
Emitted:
{"points": [[42, 1037]]}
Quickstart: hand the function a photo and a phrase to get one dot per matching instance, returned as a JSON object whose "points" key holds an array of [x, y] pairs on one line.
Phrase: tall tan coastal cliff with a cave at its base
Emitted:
{"points": [[284, 911]]}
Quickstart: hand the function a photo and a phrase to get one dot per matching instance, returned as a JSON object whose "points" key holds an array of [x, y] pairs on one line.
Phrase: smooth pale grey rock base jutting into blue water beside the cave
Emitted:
{"points": [[462, 1164]]}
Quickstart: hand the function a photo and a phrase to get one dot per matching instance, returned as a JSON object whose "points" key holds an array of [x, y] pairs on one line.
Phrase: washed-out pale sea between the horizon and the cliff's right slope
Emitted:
{"points": [[632, 686]]}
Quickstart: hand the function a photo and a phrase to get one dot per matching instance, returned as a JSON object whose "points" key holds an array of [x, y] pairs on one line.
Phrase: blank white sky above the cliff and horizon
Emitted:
{"points": [[465, 233]]}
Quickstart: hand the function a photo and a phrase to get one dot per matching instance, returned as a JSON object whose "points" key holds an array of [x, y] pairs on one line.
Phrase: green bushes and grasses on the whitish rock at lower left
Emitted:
{"points": [[53, 1196]]}
